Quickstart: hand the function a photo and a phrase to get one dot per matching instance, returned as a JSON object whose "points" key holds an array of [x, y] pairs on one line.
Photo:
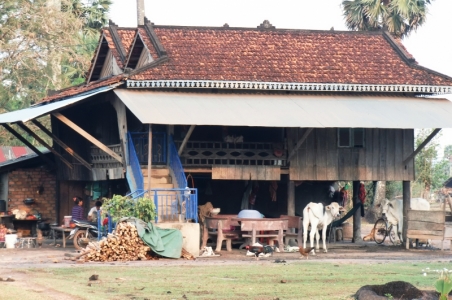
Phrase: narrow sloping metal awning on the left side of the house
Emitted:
{"points": [[39, 110]]}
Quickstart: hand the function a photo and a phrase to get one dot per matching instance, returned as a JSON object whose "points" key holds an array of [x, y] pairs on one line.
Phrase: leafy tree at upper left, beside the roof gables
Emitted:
{"points": [[44, 45]]}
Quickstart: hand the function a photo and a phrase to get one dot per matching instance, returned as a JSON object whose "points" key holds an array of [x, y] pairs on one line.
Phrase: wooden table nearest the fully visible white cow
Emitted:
{"points": [[273, 229]]}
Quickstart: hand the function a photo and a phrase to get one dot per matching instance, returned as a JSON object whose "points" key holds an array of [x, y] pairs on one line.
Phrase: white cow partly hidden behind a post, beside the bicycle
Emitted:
{"points": [[393, 210]]}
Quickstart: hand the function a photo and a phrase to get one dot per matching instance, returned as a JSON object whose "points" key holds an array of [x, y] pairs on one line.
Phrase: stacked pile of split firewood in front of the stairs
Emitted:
{"points": [[123, 245]]}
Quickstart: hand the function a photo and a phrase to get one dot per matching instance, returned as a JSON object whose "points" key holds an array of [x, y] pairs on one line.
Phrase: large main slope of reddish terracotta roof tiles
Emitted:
{"points": [[239, 54]]}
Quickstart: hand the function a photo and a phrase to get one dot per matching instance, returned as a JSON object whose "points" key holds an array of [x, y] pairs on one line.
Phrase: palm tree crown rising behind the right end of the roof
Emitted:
{"points": [[399, 17]]}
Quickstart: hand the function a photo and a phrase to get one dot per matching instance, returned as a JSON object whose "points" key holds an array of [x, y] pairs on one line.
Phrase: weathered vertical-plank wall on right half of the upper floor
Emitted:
{"points": [[319, 157]]}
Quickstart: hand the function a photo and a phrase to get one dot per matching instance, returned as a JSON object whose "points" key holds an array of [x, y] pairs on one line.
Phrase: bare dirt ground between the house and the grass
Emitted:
{"points": [[15, 262]]}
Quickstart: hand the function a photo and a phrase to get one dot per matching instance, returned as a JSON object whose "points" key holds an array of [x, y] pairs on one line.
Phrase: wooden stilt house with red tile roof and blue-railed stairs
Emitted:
{"points": [[290, 110]]}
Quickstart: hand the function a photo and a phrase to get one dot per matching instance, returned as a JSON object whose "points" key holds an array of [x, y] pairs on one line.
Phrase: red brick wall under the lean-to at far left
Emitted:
{"points": [[24, 183]]}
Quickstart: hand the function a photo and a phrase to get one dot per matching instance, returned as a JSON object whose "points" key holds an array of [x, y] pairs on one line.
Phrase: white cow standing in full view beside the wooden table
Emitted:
{"points": [[317, 216]]}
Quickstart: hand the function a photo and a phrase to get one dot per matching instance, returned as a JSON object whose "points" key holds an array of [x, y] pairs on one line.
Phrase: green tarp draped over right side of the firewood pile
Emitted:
{"points": [[164, 242]]}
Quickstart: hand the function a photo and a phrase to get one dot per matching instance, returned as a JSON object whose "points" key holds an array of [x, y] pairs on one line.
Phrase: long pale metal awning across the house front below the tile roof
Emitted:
{"points": [[287, 110]]}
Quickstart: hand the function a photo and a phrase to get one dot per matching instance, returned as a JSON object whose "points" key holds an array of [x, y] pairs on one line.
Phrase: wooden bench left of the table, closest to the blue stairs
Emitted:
{"points": [[219, 227]]}
